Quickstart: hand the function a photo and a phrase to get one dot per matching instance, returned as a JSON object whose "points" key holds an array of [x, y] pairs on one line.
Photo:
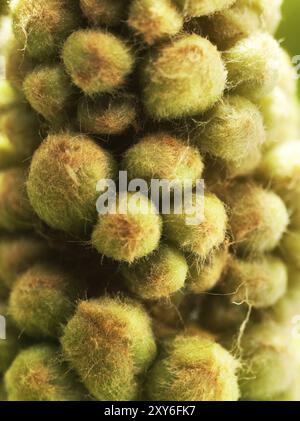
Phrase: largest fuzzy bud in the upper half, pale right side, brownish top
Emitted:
{"points": [[183, 78]]}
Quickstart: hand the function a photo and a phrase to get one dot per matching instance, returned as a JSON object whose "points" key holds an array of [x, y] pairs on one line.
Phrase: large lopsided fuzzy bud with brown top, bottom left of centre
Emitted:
{"points": [[113, 336]]}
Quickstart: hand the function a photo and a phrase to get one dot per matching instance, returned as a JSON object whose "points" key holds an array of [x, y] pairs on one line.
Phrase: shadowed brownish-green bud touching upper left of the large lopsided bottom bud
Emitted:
{"points": [[43, 299]]}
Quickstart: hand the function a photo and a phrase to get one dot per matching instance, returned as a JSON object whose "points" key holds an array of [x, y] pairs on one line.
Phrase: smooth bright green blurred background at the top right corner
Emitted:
{"points": [[289, 31]]}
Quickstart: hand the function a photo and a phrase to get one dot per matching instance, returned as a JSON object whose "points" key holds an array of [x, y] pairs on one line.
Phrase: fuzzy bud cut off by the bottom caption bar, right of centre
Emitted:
{"points": [[193, 368]]}
